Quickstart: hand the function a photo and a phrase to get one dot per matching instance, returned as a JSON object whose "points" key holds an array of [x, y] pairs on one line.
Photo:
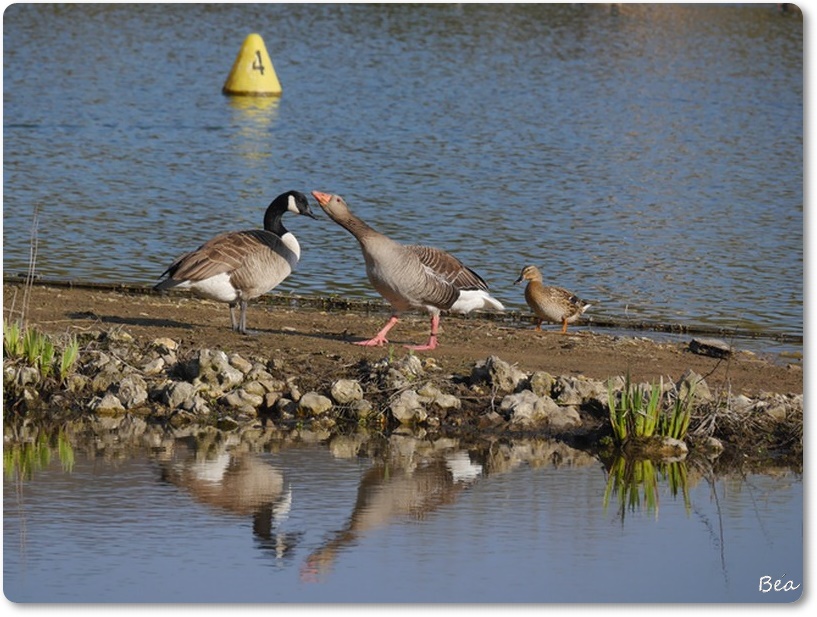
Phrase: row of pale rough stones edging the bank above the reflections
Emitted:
{"points": [[209, 386]]}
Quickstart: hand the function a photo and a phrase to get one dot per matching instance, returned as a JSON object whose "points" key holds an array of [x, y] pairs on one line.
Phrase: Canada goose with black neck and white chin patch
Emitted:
{"points": [[235, 267]]}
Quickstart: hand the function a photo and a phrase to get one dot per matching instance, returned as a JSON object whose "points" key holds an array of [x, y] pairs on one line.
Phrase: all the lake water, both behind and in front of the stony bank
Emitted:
{"points": [[650, 159]]}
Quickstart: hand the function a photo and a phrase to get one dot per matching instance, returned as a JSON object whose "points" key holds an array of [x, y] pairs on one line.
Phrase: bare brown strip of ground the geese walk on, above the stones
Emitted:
{"points": [[322, 335]]}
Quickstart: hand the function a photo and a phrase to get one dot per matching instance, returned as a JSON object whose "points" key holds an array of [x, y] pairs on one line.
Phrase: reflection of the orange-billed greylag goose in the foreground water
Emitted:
{"points": [[389, 492]]}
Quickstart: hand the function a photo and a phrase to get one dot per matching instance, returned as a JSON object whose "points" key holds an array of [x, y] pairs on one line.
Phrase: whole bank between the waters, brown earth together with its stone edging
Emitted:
{"points": [[172, 360]]}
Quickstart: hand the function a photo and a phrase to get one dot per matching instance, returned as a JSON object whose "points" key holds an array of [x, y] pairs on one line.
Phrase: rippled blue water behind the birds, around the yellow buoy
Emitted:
{"points": [[649, 160]]}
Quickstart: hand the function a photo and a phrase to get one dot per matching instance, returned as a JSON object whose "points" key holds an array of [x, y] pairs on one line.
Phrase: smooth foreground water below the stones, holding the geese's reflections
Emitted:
{"points": [[195, 518]]}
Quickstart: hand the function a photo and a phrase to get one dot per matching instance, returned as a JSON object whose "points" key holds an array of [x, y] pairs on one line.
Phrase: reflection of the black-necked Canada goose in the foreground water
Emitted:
{"points": [[239, 484]]}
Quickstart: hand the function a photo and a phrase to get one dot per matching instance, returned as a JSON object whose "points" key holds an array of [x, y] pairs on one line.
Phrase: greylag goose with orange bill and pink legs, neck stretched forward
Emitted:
{"points": [[411, 276]]}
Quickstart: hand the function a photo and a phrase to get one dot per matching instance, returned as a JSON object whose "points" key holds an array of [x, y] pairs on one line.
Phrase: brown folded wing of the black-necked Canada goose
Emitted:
{"points": [[225, 253]]}
